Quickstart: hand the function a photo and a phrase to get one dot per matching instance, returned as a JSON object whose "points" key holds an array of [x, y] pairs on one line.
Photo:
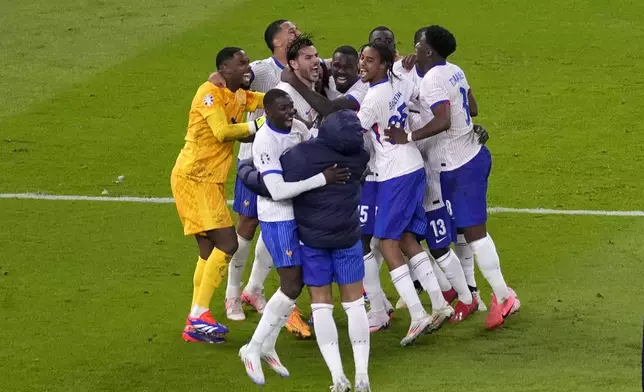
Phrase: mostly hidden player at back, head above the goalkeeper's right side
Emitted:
{"points": [[265, 74]]}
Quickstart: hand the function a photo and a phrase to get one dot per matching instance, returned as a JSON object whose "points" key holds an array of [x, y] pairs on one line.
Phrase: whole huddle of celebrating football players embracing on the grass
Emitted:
{"points": [[344, 163]]}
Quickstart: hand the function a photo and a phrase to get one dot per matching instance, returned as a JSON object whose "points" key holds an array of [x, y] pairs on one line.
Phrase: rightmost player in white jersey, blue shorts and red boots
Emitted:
{"points": [[447, 104]]}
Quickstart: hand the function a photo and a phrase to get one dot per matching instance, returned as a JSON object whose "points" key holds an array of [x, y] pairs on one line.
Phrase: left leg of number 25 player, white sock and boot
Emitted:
{"points": [[399, 271]]}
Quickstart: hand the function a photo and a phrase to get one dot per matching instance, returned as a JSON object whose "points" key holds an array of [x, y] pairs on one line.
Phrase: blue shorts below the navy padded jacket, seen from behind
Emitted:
{"points": [[321, 267]]}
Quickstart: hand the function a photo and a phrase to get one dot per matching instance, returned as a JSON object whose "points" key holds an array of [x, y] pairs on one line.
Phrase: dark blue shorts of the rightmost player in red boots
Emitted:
{"points": [[465, 190]]}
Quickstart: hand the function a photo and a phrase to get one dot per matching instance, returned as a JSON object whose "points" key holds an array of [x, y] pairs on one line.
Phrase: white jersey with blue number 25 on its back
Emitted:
{"points": [[385, 103]]}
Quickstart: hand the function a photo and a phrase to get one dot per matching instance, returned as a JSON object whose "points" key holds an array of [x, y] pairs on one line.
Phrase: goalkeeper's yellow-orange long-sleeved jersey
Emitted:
{"points": [[213, 125]]}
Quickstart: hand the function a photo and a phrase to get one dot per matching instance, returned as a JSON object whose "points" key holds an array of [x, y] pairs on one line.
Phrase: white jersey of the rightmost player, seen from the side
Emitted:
{"points": [[446, 83]]}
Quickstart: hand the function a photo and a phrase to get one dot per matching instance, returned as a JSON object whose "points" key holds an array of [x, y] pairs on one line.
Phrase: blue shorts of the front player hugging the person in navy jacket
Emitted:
{"points": [[282, 243]]}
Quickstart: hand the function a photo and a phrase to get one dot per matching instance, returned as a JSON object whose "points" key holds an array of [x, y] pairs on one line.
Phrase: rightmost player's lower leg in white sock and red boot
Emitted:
{"points": [[504, 300]]}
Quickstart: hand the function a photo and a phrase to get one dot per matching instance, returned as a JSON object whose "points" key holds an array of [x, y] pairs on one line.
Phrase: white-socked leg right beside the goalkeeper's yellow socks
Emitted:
{"points": [[245, 232]]}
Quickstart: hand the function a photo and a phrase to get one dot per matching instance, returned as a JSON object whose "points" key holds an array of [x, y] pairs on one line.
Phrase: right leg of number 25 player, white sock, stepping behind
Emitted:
{"points": [[420, 264]]}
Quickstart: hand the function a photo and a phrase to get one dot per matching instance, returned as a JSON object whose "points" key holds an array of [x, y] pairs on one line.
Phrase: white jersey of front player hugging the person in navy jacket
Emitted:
{"points": [[269, 145]]}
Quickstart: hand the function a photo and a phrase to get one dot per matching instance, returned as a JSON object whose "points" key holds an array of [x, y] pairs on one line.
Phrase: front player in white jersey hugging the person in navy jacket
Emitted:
{"points": [[277, 223]]}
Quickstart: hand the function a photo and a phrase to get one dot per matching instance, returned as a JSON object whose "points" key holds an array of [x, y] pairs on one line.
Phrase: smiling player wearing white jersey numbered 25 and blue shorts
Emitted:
{"points": [[400, 178]]}
